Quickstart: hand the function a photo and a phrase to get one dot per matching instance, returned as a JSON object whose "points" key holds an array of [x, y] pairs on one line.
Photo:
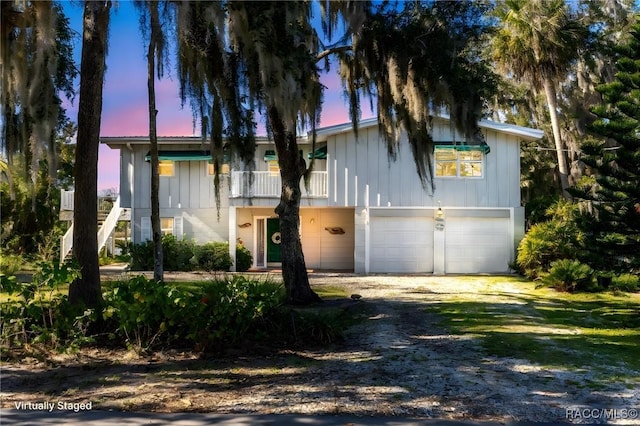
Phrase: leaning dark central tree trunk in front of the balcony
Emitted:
{"points": [[292, 168]]}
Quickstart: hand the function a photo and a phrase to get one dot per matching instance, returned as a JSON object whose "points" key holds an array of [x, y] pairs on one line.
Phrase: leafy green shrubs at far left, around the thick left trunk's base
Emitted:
{"points": [[39, 311]]}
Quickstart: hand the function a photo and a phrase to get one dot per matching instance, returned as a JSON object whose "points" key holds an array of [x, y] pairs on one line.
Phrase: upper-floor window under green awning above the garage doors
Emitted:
{"points": [[463, 162]]}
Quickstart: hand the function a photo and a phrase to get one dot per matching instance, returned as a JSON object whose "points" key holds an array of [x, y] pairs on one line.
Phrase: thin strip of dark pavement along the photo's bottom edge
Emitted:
{"points": [[113, 418]]}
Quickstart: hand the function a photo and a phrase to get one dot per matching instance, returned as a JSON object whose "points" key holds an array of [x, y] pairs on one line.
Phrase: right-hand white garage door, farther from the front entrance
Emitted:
{"points": [[477, 244]]}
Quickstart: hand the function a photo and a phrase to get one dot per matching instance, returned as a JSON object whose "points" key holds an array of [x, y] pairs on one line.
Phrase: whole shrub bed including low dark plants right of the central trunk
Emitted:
{"points": [[229, 311]]}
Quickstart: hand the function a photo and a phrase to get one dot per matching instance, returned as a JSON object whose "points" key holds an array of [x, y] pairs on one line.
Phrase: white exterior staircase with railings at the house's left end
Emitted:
{"points": [[107, 220]]}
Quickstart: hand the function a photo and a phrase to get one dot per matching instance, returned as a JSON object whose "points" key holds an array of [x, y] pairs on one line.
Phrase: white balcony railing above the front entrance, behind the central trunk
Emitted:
{"points": [[269, 184]]}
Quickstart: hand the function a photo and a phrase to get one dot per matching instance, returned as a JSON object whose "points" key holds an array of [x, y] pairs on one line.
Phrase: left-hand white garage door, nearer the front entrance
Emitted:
{"points": [[401, 244]]}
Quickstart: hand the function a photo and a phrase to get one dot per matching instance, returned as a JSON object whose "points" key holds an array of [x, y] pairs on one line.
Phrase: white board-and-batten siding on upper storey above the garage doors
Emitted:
{"points": [[362, 174]]}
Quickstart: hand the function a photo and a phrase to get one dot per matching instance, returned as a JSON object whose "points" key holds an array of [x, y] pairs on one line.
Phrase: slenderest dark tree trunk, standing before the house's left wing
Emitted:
{"points": [[158, 271]]}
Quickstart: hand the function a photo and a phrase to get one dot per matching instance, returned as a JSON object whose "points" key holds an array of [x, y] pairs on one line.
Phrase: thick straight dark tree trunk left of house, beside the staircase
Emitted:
{"points": [[86, 290]]}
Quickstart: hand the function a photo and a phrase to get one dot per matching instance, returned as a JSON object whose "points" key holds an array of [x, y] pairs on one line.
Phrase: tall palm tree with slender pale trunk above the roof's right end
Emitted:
{"points": [[537, 42]]}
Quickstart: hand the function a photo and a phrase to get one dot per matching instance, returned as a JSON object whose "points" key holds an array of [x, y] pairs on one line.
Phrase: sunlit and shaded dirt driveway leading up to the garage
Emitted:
{"points": [[398, 361]]}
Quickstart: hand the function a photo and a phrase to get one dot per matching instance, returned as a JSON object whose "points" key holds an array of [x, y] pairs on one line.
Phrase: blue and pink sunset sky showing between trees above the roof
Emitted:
{"points": [[125, 108]]}
